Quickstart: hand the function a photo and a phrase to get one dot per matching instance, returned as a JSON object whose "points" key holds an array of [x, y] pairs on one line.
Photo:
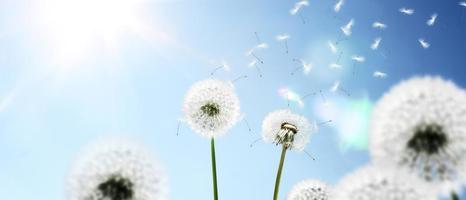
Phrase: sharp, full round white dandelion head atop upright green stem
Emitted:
{"points": [[211, 107]]}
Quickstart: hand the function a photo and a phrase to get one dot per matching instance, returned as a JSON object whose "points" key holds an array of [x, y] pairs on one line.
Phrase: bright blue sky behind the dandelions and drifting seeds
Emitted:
{"points": [[73, 72]]}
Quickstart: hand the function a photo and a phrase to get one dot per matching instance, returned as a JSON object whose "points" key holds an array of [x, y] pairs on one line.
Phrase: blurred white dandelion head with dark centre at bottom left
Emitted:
{"points": [[116, 169]]}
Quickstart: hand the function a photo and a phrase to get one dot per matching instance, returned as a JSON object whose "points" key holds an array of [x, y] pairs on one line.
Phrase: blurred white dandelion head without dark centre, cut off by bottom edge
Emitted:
{"points": [[382, 183]]}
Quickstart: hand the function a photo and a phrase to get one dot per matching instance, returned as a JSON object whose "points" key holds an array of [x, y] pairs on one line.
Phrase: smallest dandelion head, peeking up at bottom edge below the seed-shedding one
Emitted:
{"points": [[309, 190]]}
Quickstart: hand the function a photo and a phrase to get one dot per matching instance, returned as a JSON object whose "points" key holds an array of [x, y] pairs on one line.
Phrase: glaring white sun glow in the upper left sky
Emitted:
{"points": [[73, 27]]}
